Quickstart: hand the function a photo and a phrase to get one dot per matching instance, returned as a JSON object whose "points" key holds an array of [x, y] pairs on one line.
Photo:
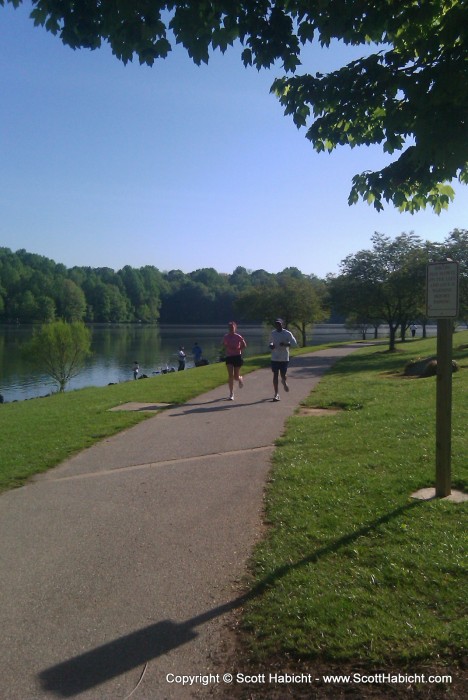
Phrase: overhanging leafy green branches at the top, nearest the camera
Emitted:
{"points": [[410, 94]]}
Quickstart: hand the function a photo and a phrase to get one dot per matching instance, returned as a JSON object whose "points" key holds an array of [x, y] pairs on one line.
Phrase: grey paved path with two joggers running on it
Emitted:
{"points": [[119, 566]]}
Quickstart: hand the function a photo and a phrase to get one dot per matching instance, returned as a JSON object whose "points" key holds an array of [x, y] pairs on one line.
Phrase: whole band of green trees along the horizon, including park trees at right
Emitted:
{"points": [[384, 284]]}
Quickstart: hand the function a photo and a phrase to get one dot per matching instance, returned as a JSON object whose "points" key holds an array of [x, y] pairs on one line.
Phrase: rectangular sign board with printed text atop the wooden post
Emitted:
{"points": [[442, 290]]}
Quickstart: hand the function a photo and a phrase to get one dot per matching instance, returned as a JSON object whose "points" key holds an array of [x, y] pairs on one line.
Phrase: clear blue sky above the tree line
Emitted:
{"points": [[176, 166]]}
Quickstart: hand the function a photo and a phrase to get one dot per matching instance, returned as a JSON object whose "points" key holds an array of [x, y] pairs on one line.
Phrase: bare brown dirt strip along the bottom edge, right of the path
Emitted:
{"points": [[234, 658]]}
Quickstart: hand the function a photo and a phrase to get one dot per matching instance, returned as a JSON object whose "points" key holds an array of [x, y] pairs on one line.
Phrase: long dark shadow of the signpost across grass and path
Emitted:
{"points": [[94, 667]]}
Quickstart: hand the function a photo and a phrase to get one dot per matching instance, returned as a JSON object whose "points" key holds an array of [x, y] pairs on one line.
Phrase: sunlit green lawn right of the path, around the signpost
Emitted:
{"points": [[352, 568]]}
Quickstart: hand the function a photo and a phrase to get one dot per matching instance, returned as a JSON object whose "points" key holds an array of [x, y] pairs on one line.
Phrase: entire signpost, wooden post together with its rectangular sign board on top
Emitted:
{"points": [[442, 304]]}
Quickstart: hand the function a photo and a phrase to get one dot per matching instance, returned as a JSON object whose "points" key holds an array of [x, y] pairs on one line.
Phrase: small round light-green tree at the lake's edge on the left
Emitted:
{"points": [[59, 349]]}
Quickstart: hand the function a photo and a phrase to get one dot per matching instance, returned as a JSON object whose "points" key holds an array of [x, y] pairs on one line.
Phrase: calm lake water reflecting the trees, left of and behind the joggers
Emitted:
{"points": [[115, 348]]}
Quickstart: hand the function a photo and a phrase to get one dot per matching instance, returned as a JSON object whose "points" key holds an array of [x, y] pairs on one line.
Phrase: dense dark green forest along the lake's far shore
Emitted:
{"points": [[35, 289]]}
